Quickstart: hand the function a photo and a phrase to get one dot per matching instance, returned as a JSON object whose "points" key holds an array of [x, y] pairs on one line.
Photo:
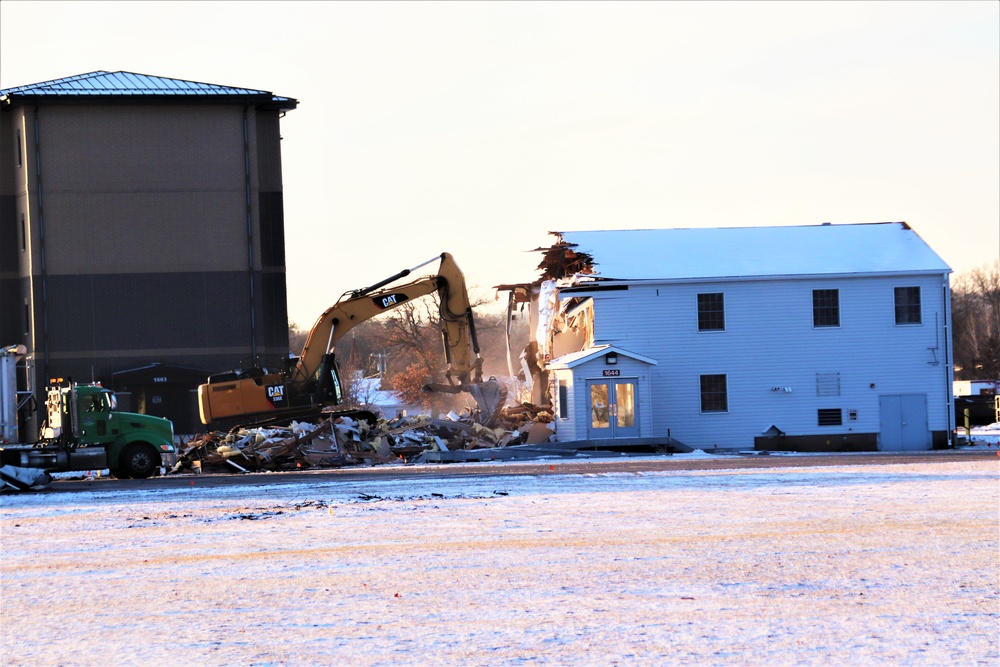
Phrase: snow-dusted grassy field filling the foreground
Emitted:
{"points": [[891, 564]]}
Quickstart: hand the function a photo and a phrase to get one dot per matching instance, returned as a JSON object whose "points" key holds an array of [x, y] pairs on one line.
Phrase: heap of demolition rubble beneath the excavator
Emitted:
{"points": [[338, 441]]}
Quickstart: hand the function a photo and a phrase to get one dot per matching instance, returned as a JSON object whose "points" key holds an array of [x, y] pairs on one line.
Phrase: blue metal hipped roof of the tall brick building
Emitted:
{"points": [[130, 84]]}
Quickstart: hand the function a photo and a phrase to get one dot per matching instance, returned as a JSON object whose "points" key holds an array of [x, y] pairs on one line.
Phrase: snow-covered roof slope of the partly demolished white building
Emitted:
{"points": [[677, 254]]}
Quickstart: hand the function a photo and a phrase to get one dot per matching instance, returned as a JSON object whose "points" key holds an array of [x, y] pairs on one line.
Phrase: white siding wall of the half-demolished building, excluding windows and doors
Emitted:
{"points": [[770, 341]]}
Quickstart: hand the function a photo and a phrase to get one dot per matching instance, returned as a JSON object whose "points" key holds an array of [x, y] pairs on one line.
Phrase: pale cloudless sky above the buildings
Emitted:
{"points": [[477, 127]]}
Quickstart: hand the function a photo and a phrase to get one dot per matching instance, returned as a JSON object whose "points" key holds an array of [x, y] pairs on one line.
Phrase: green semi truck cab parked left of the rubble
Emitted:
{"points": [[84, 431]]}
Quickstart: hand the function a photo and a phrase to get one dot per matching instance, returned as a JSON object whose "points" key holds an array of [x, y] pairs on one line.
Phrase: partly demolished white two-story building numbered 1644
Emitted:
{"points": [[811, 338]]}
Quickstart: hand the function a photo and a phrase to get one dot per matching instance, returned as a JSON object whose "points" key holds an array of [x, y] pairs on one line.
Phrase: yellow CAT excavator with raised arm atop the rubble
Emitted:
{"points": [[310, 383]]}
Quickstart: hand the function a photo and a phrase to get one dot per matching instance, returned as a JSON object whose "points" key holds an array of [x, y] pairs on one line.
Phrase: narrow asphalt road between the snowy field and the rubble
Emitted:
{"points": [[633, 464]]}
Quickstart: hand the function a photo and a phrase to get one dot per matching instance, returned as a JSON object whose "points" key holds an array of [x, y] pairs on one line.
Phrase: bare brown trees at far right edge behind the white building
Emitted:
{"points": [[975, 315]]}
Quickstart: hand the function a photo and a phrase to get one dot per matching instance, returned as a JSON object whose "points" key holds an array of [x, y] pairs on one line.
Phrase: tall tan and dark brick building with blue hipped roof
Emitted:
{"points": [[141, 233]]}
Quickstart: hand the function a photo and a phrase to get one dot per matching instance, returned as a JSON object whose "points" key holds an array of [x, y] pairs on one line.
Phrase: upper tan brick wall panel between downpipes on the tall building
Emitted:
{"points": [[115, 179]]}
